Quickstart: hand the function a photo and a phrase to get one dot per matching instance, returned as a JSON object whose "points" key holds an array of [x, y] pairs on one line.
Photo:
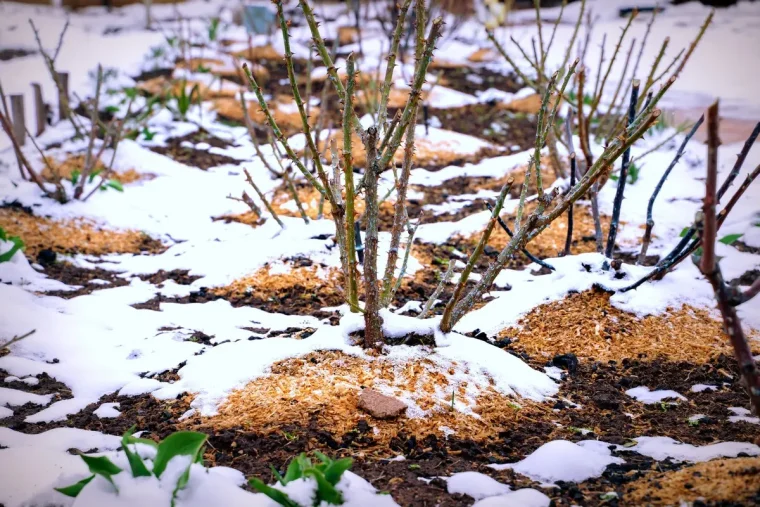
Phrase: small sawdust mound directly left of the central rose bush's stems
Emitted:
{"points": [[302, 290]]}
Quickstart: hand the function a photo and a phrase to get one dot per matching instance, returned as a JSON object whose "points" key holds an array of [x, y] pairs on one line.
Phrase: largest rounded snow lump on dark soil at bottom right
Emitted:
{"points": [[560, 460]]}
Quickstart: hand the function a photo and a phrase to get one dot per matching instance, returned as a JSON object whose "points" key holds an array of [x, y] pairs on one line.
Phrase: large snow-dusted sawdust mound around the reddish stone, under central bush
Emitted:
{"points": [[325, 387]]}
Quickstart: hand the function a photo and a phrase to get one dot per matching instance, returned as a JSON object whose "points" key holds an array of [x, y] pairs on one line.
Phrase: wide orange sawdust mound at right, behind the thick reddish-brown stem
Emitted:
{"points": [[589, 326]]}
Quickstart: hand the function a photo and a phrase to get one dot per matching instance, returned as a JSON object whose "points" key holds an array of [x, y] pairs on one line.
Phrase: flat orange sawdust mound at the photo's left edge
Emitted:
{"points": [[72, 236]]}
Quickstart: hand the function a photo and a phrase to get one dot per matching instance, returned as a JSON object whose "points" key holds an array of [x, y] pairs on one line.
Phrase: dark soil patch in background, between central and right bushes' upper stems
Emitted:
{"points": [[491, 123]]}
